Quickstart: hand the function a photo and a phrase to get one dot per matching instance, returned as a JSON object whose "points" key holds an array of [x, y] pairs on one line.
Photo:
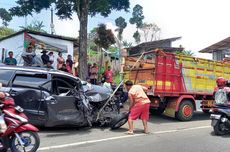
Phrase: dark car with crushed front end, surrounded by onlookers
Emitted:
{"points": [[55, 98]]}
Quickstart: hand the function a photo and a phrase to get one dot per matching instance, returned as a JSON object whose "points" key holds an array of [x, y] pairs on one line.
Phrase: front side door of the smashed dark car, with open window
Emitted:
{"points": [[62, 107]]}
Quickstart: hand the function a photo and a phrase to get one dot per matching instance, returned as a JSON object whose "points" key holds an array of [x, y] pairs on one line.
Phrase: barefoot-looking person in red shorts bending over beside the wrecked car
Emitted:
{"points": [[139, 105]]}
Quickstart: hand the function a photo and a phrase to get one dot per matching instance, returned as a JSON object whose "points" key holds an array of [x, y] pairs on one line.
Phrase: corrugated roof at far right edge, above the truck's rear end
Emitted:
{"points": [[219, 46]]}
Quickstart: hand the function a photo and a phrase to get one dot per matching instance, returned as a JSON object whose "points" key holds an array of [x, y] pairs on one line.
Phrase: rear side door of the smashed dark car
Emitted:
{"points": [[26, 92]]}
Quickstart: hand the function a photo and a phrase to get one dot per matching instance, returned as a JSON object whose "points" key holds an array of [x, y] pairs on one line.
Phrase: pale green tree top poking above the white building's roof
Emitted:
{"points": [[35, 26]]}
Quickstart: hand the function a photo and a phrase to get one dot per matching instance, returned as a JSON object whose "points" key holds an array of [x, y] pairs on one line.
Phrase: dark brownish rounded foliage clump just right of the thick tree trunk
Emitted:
{"points": [[105, 37]]}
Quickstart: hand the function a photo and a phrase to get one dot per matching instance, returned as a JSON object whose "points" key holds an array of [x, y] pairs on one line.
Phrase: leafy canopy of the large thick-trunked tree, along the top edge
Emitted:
{"points": [[66, 8]]}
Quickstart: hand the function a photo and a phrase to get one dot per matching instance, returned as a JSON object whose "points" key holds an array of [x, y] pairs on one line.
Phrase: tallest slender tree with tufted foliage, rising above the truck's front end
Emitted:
{"points": [[137, 18]]}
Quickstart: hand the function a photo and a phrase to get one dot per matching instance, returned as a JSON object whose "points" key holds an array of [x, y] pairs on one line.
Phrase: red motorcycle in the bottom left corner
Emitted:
{"points": [[19, 136]]}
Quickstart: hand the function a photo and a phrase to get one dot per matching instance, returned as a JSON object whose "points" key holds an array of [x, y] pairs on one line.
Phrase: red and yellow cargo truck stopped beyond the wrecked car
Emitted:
{"points": [[176, 83]]}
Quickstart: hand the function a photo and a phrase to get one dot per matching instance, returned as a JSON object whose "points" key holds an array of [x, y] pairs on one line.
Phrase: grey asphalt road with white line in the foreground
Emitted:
{"points": [[167, 134]]}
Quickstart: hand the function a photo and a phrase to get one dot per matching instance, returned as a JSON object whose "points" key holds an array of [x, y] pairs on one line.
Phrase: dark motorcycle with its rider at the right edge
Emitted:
{"points": [[220, 113]]}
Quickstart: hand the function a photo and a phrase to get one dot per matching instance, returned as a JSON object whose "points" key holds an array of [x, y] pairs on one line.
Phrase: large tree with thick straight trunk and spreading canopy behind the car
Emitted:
{"points": [[66, 9]]}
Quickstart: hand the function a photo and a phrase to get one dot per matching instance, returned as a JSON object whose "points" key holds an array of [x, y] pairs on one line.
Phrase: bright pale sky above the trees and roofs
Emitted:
{"points": [[200, 23]]}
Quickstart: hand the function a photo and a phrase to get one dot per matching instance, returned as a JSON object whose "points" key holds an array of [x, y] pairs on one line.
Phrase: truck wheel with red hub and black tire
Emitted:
{"points": [[186, 111]]}
